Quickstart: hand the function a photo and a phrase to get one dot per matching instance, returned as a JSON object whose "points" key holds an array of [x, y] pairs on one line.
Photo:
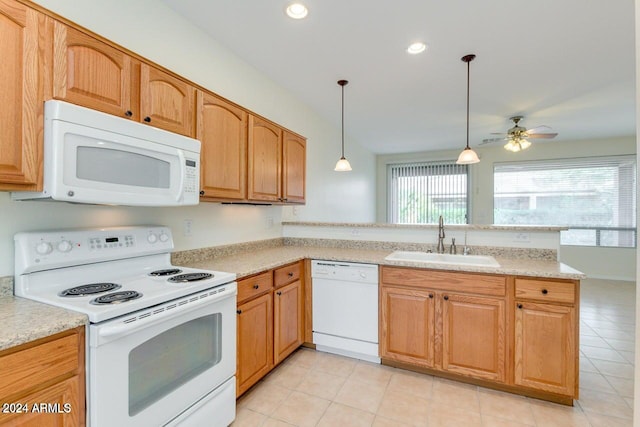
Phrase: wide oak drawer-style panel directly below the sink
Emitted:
{"points": [[448, 281]]}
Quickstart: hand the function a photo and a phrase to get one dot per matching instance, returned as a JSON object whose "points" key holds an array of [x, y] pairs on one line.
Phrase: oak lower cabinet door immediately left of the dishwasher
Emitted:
{"points": [[288, 320]]}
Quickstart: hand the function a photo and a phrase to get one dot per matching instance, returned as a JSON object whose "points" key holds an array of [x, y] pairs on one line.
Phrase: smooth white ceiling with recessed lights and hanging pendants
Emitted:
{"points": [[566, 64]]}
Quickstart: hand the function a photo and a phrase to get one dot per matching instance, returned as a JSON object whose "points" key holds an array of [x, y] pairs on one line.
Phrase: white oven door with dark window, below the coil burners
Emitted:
{"points": [[148, 371]]}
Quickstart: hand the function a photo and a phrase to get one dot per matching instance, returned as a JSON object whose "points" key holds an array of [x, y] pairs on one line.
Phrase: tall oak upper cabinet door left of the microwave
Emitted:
{"points": [[21, 92]]}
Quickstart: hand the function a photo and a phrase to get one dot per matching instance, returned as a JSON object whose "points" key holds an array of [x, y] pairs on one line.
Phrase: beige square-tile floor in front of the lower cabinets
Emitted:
{"points": [[319, 389]]}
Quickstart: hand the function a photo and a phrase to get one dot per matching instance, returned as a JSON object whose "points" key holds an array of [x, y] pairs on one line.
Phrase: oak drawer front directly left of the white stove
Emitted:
{"points": [[28, 368]]}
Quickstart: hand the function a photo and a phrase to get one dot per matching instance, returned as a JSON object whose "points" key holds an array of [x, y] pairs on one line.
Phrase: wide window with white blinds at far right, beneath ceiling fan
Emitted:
{"points": [[594, 197]]}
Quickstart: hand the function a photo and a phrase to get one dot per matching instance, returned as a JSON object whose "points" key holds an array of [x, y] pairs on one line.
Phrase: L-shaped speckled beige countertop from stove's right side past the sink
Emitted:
{"points": [[248, 263]]}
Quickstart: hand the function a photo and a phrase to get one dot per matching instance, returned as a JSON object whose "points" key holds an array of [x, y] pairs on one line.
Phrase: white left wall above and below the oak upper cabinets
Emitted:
{"points": [[152, 30]]}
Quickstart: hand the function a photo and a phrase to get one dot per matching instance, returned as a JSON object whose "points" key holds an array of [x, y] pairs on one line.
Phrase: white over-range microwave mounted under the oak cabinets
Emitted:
{"points": [[93, 157]]}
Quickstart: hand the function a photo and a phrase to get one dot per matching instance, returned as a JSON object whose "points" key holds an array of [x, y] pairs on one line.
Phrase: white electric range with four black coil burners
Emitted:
{"points": [[161, 344]]}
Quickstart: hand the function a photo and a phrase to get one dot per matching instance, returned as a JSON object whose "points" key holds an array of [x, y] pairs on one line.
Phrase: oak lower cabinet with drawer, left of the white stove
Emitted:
{"points": [[44, 381]]}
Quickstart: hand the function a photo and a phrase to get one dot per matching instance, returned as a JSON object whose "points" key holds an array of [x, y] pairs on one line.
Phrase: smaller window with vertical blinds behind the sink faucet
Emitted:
{"points": [[420, 192]]}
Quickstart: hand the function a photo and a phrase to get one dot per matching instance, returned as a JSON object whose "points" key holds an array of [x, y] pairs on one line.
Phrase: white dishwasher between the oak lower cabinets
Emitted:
{"points": [[345, 308]]}
